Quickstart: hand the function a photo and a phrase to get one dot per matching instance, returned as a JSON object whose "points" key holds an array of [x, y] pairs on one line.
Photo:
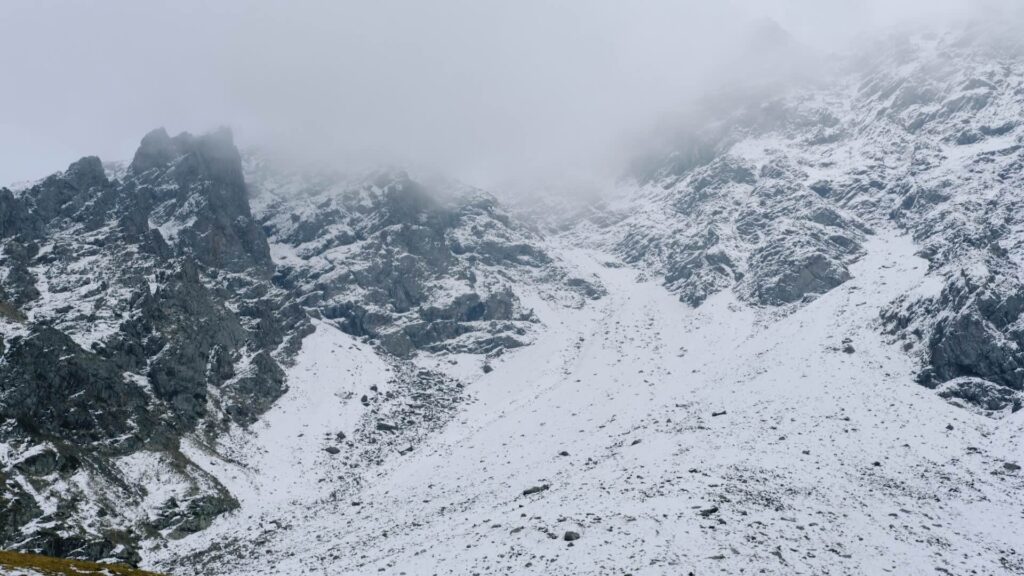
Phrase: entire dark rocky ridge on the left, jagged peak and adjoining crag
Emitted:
{"points": [[144, 305]]}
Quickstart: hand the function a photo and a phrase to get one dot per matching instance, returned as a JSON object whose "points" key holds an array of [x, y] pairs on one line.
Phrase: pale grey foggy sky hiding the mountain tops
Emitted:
{"points": [[471, 86]]}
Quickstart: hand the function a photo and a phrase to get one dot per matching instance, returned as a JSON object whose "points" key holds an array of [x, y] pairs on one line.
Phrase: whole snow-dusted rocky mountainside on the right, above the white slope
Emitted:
{"points": [[775, 200]]}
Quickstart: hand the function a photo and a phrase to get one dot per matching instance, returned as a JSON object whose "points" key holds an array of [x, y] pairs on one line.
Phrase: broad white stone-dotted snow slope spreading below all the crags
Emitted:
{"points": [[672, 440]]}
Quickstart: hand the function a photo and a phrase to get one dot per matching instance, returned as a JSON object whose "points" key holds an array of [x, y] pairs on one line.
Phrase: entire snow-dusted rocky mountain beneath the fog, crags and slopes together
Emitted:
{"points": [[791, 344]]}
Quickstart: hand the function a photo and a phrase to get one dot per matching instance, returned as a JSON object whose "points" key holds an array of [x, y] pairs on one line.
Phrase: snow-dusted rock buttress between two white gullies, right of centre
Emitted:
{"points": [[733, 224]]}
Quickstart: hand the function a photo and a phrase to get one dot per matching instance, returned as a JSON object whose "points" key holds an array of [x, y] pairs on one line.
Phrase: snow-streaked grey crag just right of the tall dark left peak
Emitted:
{"points": [[411, 266]]}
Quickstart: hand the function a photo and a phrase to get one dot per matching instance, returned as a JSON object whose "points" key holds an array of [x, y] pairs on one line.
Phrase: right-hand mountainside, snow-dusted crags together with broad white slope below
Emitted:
{"points": [[774, 420]]}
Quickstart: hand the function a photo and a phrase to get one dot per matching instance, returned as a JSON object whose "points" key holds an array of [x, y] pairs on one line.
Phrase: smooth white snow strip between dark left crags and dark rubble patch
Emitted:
{"points": [[269, 468]]}
